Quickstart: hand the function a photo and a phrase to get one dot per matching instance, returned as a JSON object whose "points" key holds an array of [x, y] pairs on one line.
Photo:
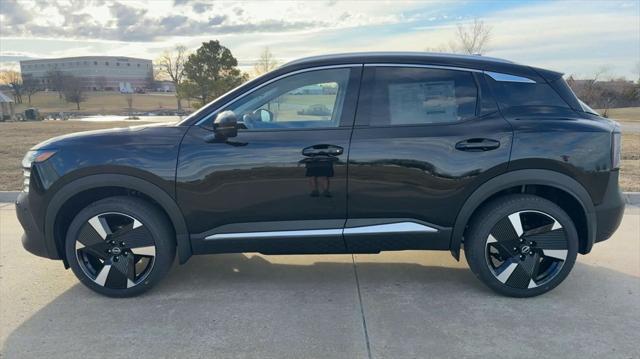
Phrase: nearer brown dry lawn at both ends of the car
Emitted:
{"points": [[17, 137]]}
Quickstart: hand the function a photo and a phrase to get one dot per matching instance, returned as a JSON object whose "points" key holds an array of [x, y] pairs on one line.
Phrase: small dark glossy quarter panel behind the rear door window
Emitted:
{"points": [[512, 94]]}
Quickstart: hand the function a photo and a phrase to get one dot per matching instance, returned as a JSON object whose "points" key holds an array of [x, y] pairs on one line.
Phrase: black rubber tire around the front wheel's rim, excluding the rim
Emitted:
{"points": [[145, 214]]}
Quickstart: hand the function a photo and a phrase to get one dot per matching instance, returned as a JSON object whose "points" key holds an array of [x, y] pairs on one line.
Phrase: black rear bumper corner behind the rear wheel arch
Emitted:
{"points": [[610, 211]]}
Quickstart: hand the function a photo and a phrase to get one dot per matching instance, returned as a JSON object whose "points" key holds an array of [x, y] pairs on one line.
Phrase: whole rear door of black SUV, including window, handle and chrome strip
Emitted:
{"points": [[424, 138]]}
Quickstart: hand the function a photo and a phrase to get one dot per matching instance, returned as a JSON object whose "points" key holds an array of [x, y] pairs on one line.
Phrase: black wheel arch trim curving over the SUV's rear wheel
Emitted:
{"points": [[520, 178]]}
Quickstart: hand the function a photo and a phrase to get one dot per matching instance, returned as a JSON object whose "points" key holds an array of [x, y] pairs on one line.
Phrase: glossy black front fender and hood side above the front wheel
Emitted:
{"points": [[147, 153]]}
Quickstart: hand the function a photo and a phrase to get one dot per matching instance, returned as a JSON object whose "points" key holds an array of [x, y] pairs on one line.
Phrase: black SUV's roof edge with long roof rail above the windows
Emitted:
{"points": [[439, 59]]}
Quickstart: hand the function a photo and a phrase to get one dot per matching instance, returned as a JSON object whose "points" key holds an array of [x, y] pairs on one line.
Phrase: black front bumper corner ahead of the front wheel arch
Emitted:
{"points": [[33, 239]]}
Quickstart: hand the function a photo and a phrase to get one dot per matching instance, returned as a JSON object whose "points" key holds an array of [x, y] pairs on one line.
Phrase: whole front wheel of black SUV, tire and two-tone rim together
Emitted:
{"points": [[120, 246]]}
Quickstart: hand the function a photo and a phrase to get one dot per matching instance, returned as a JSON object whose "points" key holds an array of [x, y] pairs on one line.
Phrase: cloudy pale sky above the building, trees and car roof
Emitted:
{"points": [[571, 37]]}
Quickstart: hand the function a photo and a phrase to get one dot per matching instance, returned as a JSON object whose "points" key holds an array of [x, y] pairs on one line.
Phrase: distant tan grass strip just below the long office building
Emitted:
{"points": [[105, 103]]}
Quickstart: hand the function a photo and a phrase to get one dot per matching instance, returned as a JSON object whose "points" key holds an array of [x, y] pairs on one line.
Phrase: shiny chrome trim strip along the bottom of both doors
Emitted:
{"points": [[401, 227]]}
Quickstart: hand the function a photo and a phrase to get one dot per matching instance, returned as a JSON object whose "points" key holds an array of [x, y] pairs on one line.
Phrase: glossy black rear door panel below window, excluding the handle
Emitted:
{"points": [[416, 171]]}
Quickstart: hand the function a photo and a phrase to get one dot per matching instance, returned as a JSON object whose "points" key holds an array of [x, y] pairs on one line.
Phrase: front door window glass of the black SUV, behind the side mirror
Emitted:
{"points": [[306, 100]]}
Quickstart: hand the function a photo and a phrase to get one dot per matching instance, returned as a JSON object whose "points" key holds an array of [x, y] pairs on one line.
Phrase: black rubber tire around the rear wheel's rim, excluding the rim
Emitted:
{"points": [[475, 244]]}
